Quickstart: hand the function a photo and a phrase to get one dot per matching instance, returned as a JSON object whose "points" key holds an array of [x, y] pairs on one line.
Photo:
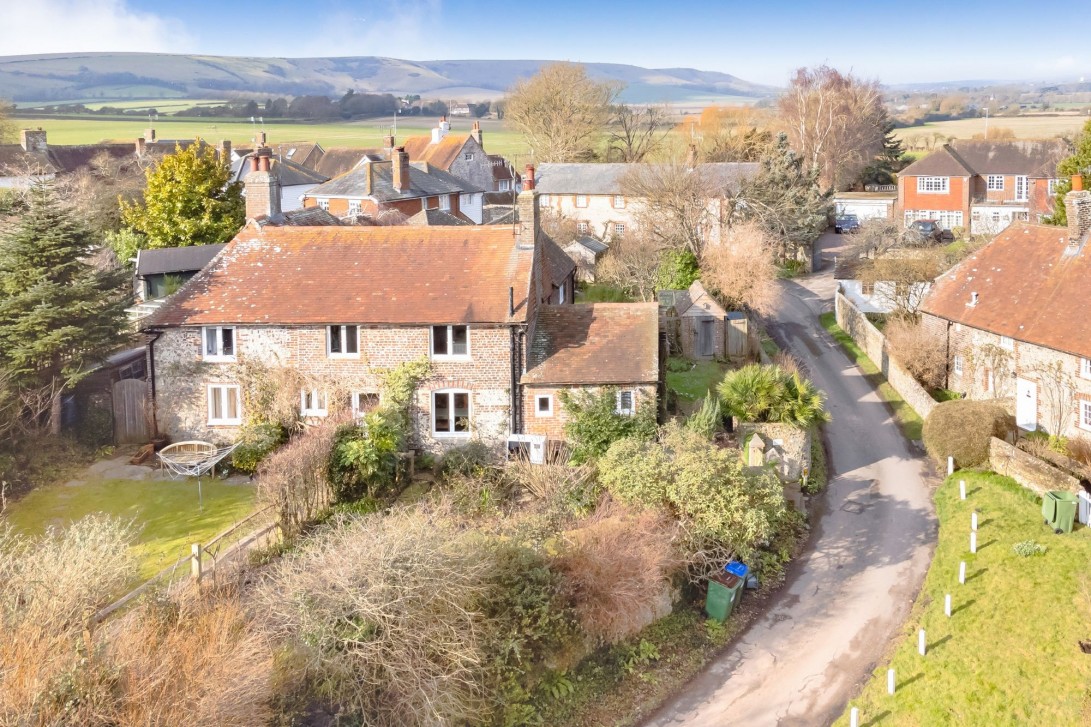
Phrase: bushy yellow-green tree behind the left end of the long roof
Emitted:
{"points": [[190, 200]]}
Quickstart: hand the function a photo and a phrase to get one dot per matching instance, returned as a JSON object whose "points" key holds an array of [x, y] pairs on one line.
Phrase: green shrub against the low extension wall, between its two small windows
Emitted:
{"points": [[594, 424]]}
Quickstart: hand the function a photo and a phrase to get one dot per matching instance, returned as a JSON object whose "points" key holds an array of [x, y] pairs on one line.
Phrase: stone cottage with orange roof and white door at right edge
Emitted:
{"points": [[1014, 321]]}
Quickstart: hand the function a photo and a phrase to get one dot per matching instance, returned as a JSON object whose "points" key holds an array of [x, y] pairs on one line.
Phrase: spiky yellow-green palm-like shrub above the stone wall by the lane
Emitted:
{"points": [[773, 395]]}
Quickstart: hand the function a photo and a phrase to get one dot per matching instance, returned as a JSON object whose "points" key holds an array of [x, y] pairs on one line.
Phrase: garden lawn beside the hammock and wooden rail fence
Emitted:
{"points": [[166, 513]]}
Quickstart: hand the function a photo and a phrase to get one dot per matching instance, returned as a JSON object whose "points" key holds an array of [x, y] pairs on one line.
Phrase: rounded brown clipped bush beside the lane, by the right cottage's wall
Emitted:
{"points": [[963, 428]]}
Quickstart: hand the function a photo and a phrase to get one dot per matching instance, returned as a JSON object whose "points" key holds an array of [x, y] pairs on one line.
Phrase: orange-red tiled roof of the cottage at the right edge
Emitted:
{"points": [[1029, 288]]}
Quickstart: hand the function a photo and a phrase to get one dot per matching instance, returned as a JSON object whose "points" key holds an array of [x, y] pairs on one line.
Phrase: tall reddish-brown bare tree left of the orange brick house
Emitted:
{"points": [[835, 122]]}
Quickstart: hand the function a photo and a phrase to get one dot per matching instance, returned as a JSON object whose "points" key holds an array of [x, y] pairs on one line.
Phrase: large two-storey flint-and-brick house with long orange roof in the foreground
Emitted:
{"points": [[339, 304]]}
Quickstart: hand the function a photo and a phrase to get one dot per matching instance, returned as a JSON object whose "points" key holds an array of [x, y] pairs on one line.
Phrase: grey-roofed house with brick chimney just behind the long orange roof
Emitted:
{"points": [[376, 187]]}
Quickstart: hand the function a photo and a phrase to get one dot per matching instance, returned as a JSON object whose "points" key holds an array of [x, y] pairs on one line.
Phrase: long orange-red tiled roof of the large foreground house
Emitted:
{"points": [[383, 276]]}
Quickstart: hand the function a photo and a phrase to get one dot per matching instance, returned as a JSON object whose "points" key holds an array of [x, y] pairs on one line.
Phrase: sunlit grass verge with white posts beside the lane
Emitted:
{"points": [[1010, 653]]}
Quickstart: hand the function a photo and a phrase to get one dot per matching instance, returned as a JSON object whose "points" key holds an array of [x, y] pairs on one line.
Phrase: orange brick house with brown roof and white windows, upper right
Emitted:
{"points": [[981, 186]]}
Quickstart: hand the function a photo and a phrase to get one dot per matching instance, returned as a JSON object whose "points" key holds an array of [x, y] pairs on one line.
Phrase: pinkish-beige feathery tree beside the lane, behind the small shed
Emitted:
{"points": [[742, 269]]}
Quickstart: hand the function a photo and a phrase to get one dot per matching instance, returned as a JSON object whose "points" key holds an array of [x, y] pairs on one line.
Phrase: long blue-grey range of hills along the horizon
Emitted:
{"points": [[117, 77]]}
